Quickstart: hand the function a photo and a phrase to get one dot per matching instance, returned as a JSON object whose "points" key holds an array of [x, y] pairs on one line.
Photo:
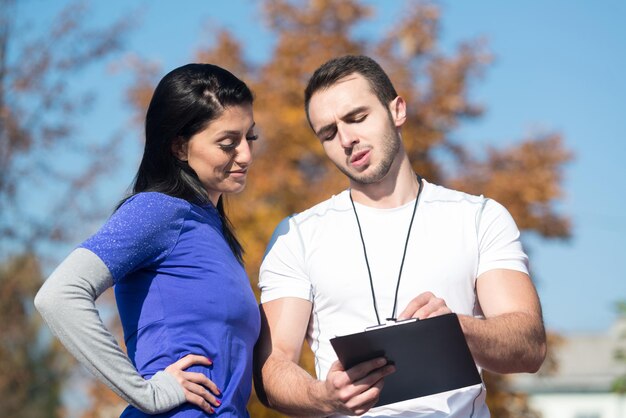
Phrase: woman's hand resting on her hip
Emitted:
{"points": [[199, 389]]}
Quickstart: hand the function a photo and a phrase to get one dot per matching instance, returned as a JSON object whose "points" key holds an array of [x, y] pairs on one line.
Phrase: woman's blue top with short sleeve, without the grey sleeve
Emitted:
{"points": [[180, 290]]}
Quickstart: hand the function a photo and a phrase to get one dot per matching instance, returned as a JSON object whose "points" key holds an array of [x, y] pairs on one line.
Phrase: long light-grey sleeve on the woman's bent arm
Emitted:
{"points": [[67, 303]]}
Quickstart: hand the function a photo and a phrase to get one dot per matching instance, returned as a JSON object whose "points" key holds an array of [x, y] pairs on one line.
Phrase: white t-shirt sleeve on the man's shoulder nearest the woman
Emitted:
{"points": [[283, 271]]}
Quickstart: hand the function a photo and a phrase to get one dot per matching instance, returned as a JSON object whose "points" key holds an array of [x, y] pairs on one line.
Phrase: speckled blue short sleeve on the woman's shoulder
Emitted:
{"points": [[141, 232]]}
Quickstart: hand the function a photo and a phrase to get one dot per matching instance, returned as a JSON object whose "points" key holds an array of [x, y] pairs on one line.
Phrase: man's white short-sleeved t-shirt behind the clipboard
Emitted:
{"points": [[318, 255]]}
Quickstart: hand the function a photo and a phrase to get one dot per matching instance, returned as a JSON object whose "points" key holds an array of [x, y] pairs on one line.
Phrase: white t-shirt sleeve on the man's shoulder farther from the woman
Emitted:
{"points": [[499, 240]]}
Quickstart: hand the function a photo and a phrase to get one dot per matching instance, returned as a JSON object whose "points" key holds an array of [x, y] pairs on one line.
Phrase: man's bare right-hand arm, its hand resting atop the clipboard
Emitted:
{"points": [[511, 338]]}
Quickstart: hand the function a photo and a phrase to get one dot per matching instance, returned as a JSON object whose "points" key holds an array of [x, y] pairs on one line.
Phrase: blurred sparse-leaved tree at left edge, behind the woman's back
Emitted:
{"points": [[44, 188]]}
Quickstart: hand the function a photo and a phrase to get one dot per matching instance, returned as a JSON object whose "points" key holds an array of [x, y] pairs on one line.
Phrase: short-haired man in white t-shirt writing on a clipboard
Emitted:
{"points": [[391, 246]]}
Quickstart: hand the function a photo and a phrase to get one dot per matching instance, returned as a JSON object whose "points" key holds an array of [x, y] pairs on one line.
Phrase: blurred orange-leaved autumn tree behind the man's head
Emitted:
{"points": [[291, 172]]}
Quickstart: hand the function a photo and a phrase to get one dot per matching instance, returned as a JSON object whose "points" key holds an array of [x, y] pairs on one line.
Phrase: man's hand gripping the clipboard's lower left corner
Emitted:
{"points": [[356, 390]]}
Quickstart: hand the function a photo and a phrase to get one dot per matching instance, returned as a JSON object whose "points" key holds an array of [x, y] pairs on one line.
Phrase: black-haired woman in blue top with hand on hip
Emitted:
{"points": [[189, 315]]}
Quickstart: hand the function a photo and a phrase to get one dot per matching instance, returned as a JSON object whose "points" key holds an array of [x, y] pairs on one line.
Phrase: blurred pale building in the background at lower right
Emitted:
{"points": [[581, 387]]}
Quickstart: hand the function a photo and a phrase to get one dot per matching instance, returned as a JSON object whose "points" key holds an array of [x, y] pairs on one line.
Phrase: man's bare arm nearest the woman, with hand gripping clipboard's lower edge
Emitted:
{"points": [[283, 385]]}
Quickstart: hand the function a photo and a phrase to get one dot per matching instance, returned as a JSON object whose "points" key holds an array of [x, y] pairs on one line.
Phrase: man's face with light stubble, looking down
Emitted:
{"points": [[357, 132]]}
